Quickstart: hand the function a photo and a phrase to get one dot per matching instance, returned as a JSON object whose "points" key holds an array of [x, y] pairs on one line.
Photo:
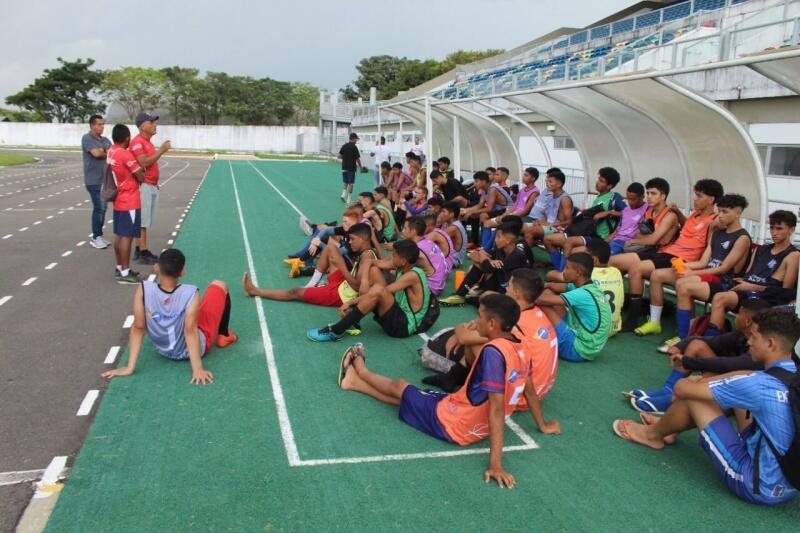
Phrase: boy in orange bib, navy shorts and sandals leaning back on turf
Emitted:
{"points": [[499, 379]]}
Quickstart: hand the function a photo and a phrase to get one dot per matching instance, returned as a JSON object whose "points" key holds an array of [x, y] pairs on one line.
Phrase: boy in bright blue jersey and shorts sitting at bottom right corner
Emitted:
{"points": [[740, 456]]}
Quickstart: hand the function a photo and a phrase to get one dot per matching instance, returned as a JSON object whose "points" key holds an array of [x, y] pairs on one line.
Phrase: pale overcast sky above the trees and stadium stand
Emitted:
{"points": [[316, 41]]}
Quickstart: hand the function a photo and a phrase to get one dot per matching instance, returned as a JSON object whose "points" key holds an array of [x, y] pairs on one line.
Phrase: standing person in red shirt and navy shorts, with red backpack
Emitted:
{"points": [[127, 204]]}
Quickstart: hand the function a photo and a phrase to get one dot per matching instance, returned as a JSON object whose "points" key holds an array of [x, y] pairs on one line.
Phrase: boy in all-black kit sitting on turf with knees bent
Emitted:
{"points": [[491, 270]]}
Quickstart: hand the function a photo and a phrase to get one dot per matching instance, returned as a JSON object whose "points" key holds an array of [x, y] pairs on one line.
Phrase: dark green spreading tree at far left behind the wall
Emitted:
{"points": [[63, 93]]}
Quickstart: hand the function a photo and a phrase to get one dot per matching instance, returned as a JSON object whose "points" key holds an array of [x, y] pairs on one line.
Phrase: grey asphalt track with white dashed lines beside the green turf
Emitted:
{"points": [[65, 309]]}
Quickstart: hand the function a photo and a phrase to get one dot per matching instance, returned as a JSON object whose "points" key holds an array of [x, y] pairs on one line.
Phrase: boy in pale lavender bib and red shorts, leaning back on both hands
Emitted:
{"points": [[180, 324]]}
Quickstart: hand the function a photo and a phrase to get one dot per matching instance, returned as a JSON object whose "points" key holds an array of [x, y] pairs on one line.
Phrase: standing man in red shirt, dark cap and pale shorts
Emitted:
{"points": [[147, 156]]}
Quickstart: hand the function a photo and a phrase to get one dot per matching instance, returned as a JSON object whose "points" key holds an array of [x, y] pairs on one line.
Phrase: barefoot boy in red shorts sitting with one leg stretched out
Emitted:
{"points": [[345, 274]]}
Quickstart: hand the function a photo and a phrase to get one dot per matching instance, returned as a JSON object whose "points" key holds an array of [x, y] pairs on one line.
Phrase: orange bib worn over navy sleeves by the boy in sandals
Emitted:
{"points": [[465, 423]]}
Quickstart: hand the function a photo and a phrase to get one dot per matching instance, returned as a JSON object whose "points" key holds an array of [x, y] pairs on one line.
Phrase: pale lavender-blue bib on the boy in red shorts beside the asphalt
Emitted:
{"points": [[165, 313]]}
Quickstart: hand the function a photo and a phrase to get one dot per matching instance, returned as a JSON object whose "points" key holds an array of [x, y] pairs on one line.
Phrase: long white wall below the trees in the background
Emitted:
{"points": [[230, 138]]}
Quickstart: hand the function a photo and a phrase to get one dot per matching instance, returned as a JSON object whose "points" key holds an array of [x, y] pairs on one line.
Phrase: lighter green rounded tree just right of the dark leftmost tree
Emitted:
{"points": [[135, 89]]}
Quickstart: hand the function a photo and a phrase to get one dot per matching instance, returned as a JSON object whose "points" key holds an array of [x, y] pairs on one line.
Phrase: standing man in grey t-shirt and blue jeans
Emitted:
{"points": [[95, 147]]}
